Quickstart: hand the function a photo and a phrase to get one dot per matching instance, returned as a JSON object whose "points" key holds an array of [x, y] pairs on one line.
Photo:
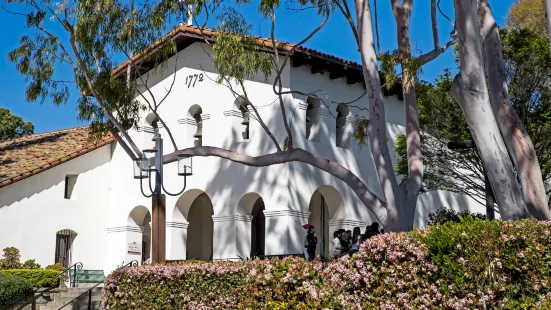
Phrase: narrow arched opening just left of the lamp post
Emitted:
{"points": [[139, 235]]}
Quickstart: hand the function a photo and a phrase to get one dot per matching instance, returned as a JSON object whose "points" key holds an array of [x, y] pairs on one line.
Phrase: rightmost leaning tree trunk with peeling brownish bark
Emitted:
{"points": [[516, 138]]}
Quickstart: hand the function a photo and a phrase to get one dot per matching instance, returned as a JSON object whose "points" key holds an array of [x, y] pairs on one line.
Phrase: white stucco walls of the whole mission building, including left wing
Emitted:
{"points": [[106, 193]]}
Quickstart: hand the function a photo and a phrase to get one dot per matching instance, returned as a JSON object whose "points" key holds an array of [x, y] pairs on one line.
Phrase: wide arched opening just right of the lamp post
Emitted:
{"points": [[196, 208]]}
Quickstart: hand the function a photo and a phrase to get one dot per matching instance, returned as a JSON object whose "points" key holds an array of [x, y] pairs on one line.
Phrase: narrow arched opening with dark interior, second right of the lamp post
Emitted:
{"points": [[251, 226]]}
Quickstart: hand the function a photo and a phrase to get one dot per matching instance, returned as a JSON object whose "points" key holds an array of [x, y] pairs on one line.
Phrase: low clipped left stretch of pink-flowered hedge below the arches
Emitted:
{"points": [[258, 284]]}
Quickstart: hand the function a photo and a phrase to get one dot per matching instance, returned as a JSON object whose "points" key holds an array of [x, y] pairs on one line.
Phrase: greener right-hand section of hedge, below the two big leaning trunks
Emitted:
{"points": [[501, 264]]}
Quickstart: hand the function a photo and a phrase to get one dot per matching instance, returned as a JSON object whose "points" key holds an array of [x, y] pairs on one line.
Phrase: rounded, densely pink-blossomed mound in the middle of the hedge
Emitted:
{"points": [[391, 271]]}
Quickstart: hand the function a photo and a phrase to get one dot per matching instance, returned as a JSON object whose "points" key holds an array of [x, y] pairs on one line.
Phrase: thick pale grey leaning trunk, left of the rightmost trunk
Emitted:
{"points": [[470, 91]]}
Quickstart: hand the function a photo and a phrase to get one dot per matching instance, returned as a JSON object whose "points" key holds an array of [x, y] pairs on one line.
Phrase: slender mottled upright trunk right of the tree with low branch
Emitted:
{"points": [[402, 14]]}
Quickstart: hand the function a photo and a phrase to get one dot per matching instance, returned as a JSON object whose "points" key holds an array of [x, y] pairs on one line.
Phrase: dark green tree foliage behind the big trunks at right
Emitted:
{"points": [[528, 71]]}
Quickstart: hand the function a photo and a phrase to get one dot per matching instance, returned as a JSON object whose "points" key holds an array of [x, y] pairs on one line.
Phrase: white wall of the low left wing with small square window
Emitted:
{"points": [[34, 209]]}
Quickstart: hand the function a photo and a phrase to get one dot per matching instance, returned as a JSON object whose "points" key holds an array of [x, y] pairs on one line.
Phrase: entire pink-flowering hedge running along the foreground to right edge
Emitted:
{"points": [[462, 265]]}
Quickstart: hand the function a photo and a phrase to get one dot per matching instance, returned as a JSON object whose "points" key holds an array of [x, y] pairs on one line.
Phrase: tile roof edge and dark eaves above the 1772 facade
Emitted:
{"points": [[184, 35]]}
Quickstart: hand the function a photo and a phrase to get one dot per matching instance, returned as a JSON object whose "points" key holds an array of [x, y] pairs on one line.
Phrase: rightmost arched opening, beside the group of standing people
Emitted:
{"points": [[324, 204]]}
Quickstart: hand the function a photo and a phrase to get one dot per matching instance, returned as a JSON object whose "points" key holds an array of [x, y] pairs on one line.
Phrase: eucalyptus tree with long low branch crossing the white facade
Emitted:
{"points": [[92, 37]]}
